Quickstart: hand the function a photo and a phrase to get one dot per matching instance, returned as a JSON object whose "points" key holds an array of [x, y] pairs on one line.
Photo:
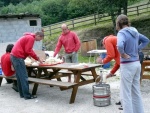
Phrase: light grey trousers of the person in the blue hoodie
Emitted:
{"points": [[130, 88]]}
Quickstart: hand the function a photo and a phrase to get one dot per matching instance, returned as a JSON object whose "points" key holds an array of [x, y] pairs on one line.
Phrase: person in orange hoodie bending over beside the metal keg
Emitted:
{"points": [[109, 43]]}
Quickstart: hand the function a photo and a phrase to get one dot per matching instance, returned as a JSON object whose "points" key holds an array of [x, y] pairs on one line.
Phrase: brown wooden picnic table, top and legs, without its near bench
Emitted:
{"points": [[77, 69]]}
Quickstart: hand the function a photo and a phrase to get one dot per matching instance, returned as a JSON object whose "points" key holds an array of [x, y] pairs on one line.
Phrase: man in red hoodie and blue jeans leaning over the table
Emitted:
{"points": [[21, 50]]}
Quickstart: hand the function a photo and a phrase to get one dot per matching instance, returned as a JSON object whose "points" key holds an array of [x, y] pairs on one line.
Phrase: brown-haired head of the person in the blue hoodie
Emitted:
{"points": [[122, 21]]}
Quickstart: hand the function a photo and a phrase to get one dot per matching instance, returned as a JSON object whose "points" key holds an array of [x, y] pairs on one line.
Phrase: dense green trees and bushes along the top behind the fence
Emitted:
{"points": [[53, 11]]}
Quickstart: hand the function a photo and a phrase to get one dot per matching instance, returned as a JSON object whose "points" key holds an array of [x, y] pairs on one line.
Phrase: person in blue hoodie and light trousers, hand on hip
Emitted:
{"points": [[128, 39]]}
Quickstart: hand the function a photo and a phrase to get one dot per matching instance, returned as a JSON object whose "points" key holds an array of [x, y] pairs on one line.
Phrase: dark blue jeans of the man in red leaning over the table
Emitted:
{"points": [[22, 77]]}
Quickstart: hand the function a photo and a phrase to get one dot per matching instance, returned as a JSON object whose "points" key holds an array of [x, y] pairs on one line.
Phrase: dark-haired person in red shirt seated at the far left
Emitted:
{"points": [[7, 67]]}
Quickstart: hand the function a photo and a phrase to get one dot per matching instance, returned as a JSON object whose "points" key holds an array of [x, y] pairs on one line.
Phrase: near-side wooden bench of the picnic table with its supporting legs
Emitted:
{"points": [[60, 84]]}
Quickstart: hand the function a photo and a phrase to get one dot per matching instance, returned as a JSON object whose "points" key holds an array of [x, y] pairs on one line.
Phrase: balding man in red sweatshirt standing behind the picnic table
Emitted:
{"points": [[71, 43]]}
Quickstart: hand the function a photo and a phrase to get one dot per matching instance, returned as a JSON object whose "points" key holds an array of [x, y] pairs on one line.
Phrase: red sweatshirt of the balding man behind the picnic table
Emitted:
{"points": [[70, 41]]}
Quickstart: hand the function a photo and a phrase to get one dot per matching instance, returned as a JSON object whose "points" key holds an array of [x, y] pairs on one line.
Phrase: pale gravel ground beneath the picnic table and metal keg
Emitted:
{"points": [[52, 100]]}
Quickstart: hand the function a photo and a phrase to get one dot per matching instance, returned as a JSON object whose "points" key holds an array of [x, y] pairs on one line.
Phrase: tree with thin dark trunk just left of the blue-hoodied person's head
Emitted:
{"points": [[111, 7]]}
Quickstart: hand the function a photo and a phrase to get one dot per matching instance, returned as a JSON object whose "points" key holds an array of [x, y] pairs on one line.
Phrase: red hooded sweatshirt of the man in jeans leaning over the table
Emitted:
{"points": [[23, 47]]}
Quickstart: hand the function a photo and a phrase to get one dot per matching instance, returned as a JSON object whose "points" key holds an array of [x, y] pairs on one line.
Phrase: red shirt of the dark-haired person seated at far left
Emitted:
{"points": [[6, 65]]}
